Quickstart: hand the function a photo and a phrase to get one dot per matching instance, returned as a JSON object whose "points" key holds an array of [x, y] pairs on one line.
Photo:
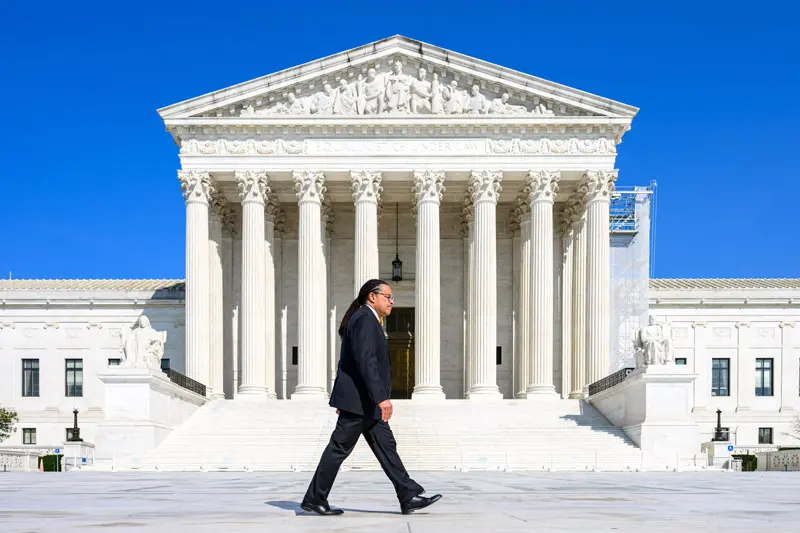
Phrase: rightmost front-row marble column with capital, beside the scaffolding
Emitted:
{"points": [[599, 185]]}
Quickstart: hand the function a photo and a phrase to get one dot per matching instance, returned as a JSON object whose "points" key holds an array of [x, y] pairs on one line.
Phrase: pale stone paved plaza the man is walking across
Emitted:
{"points": [[480, 502]]}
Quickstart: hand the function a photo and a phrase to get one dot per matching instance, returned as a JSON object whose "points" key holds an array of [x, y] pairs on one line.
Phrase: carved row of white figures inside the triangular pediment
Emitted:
{"points": [[396, 93]]}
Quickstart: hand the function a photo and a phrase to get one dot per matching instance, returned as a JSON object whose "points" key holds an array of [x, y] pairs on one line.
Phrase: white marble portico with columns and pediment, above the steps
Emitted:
{"points": [[491, 186]]}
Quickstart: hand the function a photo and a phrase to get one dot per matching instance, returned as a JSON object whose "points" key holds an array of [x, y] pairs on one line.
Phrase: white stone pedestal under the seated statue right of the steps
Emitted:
{"points": [[653, 407]]}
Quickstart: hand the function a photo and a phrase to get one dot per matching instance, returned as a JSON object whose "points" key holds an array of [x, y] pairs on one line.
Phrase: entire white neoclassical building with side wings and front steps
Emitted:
{"points": [[490, 202]]}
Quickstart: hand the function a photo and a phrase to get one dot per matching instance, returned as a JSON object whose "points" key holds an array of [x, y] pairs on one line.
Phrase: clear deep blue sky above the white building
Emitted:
{"points": [[89, 174]]}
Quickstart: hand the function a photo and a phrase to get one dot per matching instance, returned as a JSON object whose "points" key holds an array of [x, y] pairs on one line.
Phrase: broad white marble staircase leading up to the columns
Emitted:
{"points": [[452, 435]]}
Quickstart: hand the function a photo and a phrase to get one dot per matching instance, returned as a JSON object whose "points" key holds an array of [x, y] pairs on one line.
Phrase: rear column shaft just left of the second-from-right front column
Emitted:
{"points": [[524, 309]]}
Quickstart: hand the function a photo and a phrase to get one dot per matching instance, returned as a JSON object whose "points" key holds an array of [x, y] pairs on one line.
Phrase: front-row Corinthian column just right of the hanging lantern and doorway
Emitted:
{"points": [[428, 189]]}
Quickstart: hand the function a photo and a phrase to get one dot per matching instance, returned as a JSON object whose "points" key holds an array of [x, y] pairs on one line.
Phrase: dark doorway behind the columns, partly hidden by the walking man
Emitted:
{"points": [[399, 328]]}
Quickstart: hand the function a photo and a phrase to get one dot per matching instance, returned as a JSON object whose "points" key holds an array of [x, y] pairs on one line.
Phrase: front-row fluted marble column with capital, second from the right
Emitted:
{"points": [[544, 186]]}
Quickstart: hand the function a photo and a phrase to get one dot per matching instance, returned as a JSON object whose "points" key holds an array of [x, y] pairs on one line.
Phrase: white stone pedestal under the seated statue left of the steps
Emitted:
{"points": [[142, 407]]}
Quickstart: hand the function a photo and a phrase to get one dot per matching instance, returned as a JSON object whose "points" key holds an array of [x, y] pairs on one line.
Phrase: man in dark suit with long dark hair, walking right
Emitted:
{"points": [[361, 397]]}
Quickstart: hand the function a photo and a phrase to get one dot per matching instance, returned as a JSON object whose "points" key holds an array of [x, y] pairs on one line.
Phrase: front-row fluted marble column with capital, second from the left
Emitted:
{"points": [[253, 192]]}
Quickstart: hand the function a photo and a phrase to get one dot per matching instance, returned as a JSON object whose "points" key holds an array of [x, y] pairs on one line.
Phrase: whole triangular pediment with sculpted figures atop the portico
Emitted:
{"points": [[394, 77]]}
